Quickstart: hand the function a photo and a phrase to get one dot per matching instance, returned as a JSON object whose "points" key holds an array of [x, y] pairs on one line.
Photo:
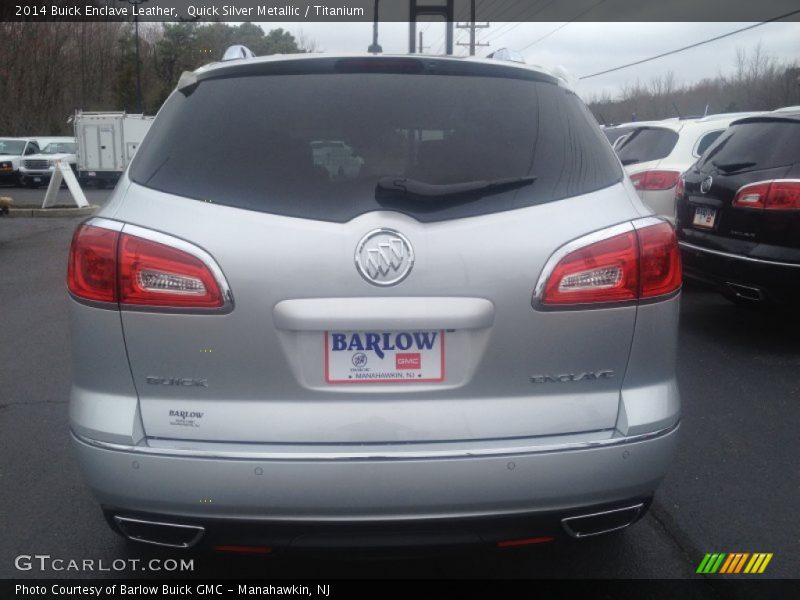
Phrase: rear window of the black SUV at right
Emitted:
{"points": [[755, 145]]}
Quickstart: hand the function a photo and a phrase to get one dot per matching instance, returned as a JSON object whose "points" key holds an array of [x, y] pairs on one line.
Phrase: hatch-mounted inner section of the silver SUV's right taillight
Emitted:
{"points": [[605, 271]]}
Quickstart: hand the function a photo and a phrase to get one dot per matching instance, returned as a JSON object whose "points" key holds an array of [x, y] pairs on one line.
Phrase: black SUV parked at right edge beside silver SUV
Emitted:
{"points": [[738, 211]]}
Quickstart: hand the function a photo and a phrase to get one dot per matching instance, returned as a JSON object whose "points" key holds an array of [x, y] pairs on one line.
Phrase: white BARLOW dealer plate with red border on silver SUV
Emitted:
{"points": [[384, 357]]}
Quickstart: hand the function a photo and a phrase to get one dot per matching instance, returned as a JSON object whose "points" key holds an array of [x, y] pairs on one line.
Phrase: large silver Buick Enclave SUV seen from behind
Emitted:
{"points": [[467, 336]]}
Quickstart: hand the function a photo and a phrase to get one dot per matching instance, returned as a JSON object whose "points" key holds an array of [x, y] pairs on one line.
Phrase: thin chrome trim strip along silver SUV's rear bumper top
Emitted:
{"points": [[342, 455]]}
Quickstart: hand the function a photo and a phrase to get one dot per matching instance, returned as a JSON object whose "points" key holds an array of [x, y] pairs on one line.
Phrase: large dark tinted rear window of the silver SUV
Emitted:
{"points": [[315, 145]]}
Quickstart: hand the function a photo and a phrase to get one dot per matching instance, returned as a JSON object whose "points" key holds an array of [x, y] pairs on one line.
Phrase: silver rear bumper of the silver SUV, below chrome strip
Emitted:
{"points": [[282, 500]]}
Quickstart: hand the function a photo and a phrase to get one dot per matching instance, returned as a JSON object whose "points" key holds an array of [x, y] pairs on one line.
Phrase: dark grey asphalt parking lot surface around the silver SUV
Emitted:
{"points": [[733, 487]]}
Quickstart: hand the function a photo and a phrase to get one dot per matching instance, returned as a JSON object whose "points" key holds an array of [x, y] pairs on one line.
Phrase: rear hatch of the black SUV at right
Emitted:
{"points": [[753, 152]]}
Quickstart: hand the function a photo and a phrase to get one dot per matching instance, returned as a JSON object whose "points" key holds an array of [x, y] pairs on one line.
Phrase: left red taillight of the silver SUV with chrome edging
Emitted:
{"points": [[113, 266]]}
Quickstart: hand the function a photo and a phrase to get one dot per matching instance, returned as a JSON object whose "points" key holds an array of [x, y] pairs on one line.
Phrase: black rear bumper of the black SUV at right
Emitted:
{"points": [[777, 281]]}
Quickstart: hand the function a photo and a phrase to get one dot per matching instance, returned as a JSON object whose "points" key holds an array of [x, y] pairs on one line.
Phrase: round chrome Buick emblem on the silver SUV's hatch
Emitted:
{"points": [[384, 257]]}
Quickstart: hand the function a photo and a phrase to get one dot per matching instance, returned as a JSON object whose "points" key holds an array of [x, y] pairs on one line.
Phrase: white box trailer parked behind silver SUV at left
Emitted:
{"points": [[107, 142]]}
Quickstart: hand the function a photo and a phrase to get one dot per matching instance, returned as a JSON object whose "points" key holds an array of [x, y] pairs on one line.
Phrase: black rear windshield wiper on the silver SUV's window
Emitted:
{"points": [[401, 188]]}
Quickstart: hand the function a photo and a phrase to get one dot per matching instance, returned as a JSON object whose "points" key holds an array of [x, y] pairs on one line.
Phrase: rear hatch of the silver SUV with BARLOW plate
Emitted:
{"points": [[372, 303]]}
